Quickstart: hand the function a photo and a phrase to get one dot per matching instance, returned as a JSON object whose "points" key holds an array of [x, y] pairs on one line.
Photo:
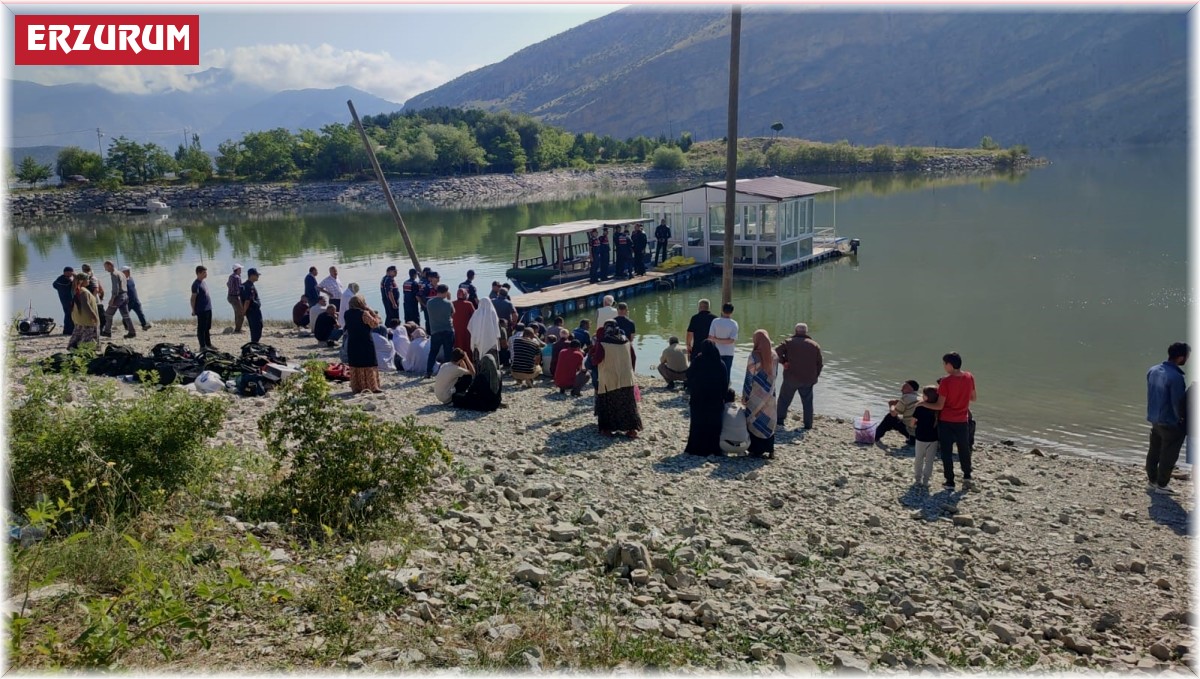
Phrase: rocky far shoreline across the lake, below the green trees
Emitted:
{"points": [[485, 190]]}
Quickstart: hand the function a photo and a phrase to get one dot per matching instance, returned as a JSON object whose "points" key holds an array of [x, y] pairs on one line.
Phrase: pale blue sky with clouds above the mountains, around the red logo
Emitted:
{"points": [[393, 52]]}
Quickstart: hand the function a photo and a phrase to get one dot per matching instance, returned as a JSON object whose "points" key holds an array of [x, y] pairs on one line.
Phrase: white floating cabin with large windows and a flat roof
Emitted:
{"points": [[777, 227]]}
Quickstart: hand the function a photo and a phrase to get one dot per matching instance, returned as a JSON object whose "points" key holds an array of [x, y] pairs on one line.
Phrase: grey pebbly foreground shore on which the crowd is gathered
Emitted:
{"points": [[826, 557]]}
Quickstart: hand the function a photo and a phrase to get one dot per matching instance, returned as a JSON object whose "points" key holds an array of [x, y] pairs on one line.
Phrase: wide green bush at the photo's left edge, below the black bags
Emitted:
{"points": [[140, 450]]}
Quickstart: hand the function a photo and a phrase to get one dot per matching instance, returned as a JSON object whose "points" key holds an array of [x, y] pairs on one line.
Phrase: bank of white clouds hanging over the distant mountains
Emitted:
{"points": [[273, 68]]}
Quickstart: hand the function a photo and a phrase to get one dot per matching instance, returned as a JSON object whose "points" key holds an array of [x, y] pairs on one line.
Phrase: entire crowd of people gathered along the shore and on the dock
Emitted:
{"points": [[466, 345]]}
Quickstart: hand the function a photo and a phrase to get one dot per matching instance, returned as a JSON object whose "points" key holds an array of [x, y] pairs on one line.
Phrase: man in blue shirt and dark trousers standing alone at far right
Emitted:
{"points": [[1166, 413]]}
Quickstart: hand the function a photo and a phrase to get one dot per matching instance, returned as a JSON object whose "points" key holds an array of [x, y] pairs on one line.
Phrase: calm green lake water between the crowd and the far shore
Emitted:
{"points": [[1059, 287]]}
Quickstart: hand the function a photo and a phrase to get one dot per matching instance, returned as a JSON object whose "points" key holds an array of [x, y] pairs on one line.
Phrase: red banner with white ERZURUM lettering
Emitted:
{"points": [[107, 40]]}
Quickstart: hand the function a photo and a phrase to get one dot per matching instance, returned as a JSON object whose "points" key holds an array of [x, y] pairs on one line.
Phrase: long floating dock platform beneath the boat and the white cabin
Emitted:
{"points": [[579, 296]]}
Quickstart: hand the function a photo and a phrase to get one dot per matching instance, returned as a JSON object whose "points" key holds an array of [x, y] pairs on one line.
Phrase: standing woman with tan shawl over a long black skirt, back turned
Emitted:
{"points": [[616, 404]]}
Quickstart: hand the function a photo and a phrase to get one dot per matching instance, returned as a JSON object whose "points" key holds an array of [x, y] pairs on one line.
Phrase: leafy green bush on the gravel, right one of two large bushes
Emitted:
{"points": [[344, 467]]}
